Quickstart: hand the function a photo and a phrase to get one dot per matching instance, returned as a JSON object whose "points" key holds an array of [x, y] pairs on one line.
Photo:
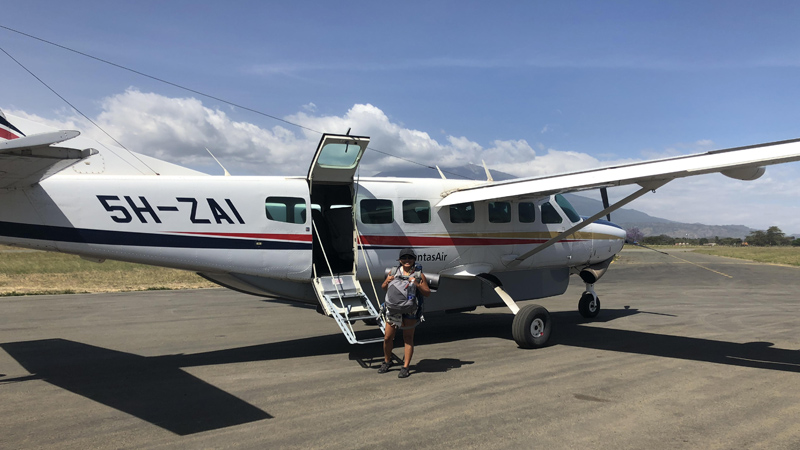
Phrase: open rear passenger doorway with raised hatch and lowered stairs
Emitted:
{"points": [[330, 181]]}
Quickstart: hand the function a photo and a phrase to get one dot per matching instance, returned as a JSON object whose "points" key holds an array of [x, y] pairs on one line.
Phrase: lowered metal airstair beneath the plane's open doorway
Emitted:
{"points": [[342, 298]]}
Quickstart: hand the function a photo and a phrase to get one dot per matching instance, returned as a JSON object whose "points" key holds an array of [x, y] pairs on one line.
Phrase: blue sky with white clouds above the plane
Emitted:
{"points": [[530, 87]]}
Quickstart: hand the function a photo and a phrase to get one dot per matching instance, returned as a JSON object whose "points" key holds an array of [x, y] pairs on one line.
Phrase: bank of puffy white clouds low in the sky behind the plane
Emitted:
{"points": [[179, 129]]}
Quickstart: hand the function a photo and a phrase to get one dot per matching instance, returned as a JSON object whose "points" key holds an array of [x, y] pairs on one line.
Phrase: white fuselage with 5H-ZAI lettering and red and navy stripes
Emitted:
{"points": [[219, 227]]}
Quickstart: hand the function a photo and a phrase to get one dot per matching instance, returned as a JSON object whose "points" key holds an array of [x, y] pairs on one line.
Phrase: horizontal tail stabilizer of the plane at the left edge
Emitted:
{"points": [[28, 160]]}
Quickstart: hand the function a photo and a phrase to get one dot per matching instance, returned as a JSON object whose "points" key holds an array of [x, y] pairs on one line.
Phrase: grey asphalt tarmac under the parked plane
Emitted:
{"points": [[689, 351]]}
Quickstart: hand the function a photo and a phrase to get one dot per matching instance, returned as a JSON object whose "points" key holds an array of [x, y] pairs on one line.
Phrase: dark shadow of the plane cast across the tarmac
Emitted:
{"points": [[156, 390]]}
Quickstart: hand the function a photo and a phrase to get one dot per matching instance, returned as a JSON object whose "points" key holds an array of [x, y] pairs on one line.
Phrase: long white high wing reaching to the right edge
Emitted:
{"points": [[743, 163]]}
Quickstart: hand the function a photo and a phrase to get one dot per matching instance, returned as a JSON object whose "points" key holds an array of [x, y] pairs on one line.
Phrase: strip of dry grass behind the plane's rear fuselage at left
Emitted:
{"points": [[29, 272]]}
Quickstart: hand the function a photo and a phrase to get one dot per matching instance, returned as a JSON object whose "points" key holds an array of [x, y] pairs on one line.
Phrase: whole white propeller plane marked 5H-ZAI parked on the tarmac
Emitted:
{"points": [[323, 237]]}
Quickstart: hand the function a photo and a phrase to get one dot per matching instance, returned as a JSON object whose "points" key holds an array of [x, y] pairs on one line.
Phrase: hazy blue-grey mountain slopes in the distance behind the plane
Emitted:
{"points": [[626, 218]]}
